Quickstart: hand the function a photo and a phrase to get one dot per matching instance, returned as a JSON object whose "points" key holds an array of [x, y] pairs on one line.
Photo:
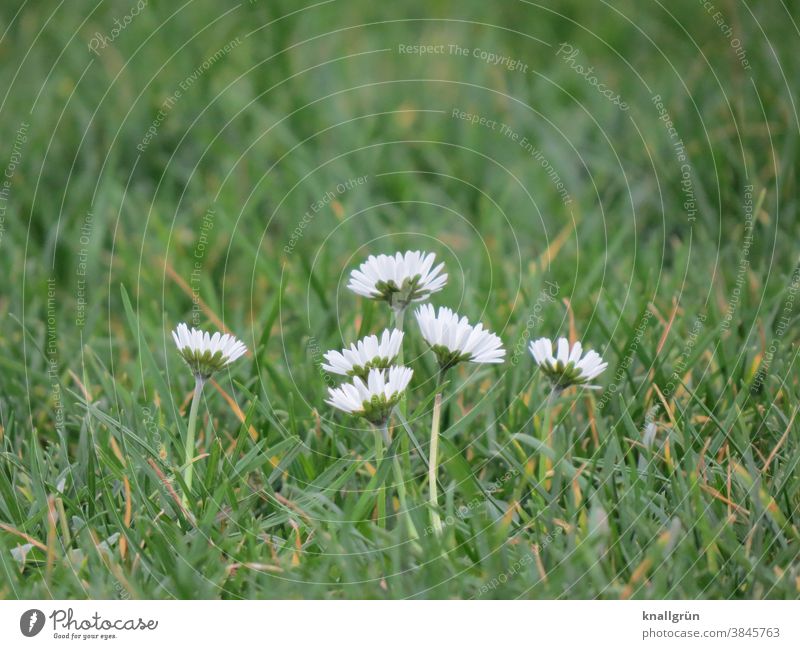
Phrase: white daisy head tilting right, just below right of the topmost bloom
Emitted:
{"points": [[455, 340]]}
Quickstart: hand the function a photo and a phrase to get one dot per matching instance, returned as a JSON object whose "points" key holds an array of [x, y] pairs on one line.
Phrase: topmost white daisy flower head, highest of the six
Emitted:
{"points": [[402, 279]]}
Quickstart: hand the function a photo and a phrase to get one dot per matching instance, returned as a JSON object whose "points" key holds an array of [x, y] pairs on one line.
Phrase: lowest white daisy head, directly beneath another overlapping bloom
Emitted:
{"points": [[375, 398]]}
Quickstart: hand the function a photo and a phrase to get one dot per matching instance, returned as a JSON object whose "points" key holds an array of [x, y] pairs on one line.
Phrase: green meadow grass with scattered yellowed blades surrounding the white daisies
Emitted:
{"points": [[279, 164]]}
